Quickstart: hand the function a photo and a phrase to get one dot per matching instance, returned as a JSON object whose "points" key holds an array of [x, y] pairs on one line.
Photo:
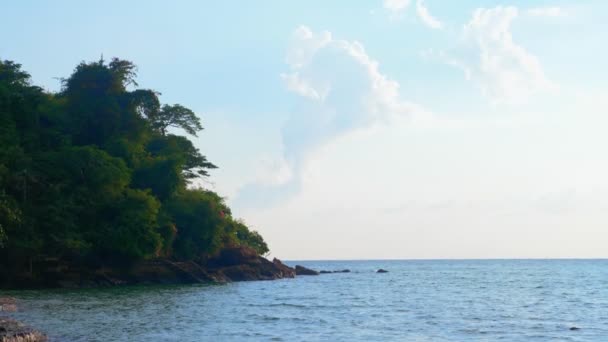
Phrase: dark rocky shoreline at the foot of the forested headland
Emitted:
{"points": [[230, 264]]}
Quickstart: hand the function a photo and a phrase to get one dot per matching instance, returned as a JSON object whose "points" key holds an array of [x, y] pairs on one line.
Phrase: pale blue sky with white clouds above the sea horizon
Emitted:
{"points": [[385, 129]]}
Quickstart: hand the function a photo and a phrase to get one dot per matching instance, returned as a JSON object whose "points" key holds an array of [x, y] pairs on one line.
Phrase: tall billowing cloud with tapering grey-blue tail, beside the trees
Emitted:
{"points": [[339, 89]]}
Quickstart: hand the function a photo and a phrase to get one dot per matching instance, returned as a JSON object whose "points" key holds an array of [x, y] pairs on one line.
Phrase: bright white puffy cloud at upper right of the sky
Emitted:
{"points": [[504, 70]]}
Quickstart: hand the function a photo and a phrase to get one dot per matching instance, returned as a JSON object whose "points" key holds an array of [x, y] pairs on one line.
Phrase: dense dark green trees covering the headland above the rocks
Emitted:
{"points": [[94, 174]]}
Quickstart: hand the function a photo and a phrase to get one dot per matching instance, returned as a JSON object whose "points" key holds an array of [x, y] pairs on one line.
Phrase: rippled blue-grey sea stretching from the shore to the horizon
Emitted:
{"points": [[430, 300]]}
